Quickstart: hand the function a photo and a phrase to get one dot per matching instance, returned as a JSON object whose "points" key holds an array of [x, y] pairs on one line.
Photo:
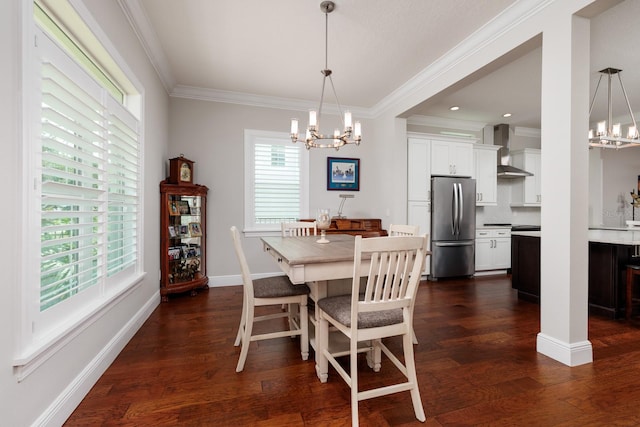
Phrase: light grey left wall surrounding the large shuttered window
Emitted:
{"points": [[52, 391]]}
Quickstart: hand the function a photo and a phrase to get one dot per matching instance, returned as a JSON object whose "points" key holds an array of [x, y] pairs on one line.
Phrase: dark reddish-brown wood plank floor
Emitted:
{"points": [[476, 363]]}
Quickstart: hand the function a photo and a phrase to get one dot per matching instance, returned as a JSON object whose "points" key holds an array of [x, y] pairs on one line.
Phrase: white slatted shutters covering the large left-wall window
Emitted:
{"points": [[90, 177]]}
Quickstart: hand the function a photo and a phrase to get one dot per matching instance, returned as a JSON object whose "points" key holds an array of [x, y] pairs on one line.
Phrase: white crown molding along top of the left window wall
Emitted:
{"points": [[139, 21]]}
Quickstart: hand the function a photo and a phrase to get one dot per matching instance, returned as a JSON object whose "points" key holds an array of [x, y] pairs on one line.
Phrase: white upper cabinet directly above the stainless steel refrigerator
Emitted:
{"points": [[451, 158]]}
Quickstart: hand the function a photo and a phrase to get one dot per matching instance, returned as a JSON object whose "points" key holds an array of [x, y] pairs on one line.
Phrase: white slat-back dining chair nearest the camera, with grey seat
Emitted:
{"points": [[384, 309]]}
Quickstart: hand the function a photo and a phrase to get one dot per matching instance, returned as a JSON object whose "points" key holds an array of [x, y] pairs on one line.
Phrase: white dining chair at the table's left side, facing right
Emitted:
{"points": [[276, 290]]}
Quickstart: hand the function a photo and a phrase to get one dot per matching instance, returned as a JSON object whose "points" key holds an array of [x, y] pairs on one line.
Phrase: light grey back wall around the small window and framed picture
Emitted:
{"points": [[212, 134]]}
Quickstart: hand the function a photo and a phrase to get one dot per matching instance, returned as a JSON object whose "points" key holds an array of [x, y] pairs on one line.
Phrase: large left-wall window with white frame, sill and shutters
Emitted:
{"points": [[84, 207]]}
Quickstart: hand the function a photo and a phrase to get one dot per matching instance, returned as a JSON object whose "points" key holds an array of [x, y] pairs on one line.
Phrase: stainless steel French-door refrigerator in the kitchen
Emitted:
{"points": [[453, 226]]}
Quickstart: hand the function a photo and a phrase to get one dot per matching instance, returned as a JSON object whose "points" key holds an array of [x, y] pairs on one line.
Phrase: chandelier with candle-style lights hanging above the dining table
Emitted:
{"points": [[351, 133]]}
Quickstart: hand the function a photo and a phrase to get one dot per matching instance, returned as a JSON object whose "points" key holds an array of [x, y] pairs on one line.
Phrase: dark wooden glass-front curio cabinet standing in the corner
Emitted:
{"points": [[183, 231]]}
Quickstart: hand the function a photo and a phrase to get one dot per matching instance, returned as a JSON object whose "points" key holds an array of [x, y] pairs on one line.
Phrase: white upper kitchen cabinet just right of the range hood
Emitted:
{"points": [[526, 192]]}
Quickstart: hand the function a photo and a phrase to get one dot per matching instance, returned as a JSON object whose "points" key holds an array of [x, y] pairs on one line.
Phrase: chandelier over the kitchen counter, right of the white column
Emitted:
{"points": [[609, 134]]}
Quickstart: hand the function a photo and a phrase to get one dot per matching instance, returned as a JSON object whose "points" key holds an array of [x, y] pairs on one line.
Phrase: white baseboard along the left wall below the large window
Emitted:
{"points": [[64, 405]]}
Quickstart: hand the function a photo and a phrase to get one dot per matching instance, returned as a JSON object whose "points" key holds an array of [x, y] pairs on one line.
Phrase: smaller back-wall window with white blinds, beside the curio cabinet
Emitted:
{"points": [[276, 173]]}
